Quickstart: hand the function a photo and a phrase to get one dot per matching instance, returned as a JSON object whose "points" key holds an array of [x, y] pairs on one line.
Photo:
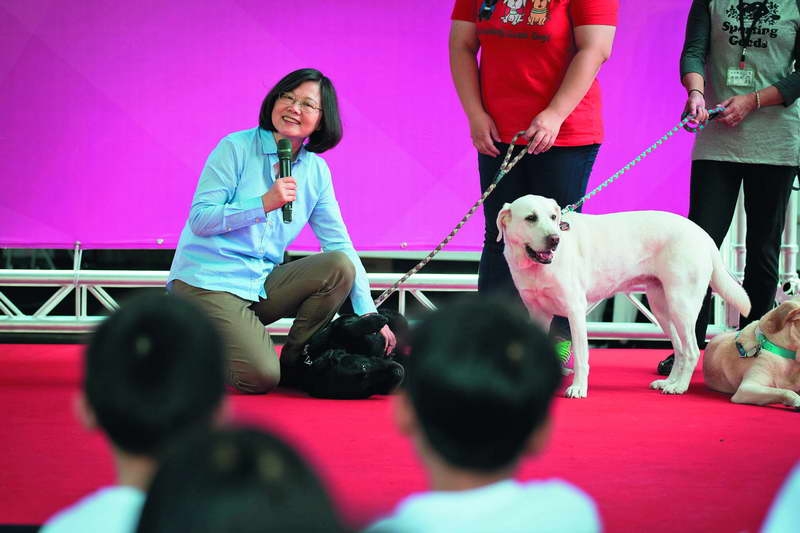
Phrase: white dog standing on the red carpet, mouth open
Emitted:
{"points": [[601, 255]]}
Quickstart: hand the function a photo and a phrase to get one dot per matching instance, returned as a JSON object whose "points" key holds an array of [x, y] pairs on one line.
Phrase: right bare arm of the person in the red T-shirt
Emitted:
{"points": [[594, 44]]}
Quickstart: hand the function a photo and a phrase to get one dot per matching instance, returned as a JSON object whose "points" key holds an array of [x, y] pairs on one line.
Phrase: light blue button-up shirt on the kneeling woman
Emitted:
{"points": [[229, 244]]}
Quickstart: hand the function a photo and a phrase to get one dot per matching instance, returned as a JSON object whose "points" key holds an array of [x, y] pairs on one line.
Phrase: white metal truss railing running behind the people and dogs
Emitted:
{"points": [[85, 285]]}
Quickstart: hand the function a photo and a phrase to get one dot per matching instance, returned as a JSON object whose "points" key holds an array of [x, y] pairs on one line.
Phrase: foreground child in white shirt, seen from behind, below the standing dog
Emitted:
{"points": [[476, 401]]}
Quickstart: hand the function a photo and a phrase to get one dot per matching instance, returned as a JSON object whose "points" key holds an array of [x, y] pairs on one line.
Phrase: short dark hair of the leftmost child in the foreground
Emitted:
{"points": [[153, 369]]}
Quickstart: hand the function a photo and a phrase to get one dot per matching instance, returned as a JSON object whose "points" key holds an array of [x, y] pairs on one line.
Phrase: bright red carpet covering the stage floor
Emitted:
{"points": [[653, 463]]}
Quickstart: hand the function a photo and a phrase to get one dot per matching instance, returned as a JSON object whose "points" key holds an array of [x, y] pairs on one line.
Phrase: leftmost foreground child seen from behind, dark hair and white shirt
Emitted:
{"points": [[153, 370]]}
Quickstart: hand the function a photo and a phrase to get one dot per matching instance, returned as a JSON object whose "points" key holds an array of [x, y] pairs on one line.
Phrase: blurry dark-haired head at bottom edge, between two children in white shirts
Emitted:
{"points": [[236, 480]]}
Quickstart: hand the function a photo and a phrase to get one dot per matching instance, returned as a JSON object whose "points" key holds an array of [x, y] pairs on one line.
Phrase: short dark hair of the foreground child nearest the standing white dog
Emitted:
{"points": [[481, 378]]}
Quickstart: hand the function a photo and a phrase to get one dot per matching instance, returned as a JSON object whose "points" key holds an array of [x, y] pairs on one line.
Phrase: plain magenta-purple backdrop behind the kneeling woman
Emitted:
{"points": [[108, 111]]}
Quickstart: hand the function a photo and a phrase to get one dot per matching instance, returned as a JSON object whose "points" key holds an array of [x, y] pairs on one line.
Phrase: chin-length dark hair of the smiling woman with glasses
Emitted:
{"points": [[330, 127]]}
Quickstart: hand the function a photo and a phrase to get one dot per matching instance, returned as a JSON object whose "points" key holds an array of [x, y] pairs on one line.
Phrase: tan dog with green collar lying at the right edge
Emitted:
{"points": [[759, 364]]}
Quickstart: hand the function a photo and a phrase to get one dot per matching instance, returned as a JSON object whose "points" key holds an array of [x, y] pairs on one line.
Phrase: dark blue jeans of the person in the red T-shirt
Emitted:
{"points": [[561, 173]]}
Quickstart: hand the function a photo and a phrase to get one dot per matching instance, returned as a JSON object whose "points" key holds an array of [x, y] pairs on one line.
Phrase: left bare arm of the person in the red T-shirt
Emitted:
{"points": [[464, 46]]}
